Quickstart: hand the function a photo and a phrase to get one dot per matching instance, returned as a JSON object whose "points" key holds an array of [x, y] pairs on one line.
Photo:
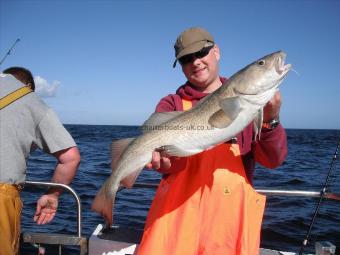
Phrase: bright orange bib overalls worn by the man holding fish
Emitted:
{"points": [[208, 208]]}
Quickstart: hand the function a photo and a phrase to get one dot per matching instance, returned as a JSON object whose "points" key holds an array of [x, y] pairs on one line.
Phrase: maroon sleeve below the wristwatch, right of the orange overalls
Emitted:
{"points": [[271, 150]]}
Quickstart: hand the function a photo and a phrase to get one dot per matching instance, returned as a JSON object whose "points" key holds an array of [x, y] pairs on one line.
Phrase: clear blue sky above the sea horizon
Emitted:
{"points": [[110, 62]]}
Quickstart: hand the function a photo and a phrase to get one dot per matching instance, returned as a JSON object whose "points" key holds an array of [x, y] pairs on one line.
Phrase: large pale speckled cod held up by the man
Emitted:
{"points": [[217, 118]]}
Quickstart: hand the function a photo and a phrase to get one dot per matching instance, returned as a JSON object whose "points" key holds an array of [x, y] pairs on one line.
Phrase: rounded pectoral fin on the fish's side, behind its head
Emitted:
{"points": [[230, 108]]}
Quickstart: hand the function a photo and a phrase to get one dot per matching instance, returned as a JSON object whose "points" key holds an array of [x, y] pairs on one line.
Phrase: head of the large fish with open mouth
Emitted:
{"points": [[262, 75]]}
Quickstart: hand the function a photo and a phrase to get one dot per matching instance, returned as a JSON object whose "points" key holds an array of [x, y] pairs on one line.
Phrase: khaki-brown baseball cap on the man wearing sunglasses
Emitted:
{"points": [[192, 40]]}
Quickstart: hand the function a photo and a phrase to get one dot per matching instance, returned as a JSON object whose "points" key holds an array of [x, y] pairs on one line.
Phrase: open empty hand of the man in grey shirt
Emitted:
{"points": [[47, 206]]}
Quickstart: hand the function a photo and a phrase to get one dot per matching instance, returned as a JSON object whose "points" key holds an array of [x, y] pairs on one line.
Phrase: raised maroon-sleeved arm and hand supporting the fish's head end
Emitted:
{"points": [[271, 150]]}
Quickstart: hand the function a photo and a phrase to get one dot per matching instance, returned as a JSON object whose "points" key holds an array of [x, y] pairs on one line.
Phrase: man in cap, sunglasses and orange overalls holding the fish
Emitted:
{"points": [[210, 219]]}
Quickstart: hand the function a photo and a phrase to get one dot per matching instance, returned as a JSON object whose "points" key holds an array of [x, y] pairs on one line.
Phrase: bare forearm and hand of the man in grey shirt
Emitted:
{"points": [[68, 162]]}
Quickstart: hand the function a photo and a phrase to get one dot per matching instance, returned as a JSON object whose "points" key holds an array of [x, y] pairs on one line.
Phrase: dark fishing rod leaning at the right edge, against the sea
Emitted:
{"points": [[322, 195]]}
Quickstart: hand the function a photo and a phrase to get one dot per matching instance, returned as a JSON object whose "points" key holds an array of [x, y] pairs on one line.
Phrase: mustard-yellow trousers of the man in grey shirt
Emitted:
{"points": [[10, 211]]}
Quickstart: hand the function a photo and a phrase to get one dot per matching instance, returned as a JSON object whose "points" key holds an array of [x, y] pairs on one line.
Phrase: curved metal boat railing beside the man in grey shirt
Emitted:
{"points": [[53, 238]]}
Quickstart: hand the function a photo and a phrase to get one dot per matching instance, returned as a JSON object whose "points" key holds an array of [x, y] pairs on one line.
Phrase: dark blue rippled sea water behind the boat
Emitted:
{"points": [[286, 220]]}
